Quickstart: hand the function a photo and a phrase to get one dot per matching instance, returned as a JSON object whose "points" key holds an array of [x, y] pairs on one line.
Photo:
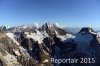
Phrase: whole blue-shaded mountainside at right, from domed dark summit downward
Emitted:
{"points": [[87, 42]]}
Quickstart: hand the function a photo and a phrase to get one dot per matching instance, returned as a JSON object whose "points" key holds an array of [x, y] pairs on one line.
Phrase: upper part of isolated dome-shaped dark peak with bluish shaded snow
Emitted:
{"points": [[86, 34]]}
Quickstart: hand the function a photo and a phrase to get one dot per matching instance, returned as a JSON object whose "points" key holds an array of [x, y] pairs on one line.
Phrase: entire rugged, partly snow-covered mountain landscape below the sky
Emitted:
{"points": [[34, 45]]}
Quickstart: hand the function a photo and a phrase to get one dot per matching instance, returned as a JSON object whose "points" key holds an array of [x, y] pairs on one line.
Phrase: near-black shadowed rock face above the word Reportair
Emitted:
{"points": [[62, 50]]}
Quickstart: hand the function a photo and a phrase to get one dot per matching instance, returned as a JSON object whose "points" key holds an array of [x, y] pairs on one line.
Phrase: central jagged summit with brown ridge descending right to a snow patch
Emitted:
{"points": [[53, 30]]}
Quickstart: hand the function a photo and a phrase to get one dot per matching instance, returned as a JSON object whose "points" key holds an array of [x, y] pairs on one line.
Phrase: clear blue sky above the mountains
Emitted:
{"points": [[74, 13]]}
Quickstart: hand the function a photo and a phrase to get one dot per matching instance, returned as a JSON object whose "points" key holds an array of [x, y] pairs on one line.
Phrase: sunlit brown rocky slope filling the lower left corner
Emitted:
{"points": [[12, 54]]}
